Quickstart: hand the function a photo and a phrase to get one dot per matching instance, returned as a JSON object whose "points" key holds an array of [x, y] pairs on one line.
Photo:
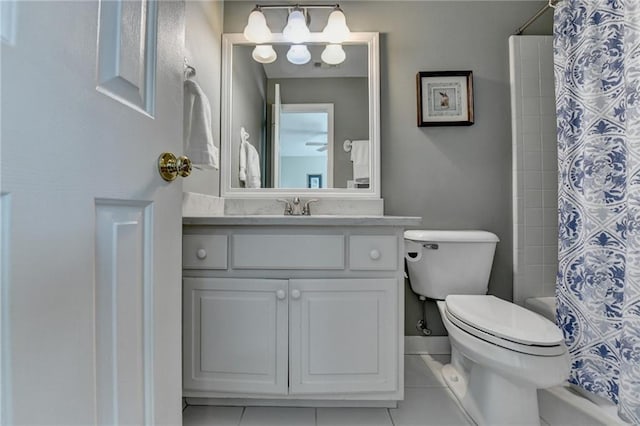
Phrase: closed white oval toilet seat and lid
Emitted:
{"points": [[505, 324]]}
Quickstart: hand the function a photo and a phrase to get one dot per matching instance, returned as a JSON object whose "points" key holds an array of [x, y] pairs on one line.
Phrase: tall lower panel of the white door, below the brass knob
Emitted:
{"points": [[123, 313]]}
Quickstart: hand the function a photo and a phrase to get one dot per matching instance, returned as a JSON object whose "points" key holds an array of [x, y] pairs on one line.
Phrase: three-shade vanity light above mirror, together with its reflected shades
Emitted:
{"points": [[297, 33]]}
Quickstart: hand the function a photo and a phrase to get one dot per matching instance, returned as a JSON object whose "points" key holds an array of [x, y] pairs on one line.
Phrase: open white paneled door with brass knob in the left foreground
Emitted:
{"points": [[91, 290]]}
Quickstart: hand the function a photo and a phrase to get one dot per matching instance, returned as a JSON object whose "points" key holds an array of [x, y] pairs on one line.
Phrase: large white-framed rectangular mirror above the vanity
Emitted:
{"points": [[311, 128]]}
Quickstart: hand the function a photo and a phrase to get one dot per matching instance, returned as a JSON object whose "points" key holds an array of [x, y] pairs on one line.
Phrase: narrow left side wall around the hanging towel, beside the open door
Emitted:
{"points": [[203, 42]]}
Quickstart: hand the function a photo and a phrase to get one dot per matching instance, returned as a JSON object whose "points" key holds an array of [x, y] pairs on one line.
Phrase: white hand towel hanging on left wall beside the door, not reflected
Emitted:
{"points": [[198, 139]]}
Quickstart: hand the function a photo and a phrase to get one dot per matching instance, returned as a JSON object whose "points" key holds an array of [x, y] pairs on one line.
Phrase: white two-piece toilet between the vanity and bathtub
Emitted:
{"points": [[501, 353]]}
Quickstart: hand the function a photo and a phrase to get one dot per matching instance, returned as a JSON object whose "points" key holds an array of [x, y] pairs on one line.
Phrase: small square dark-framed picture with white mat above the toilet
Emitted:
{"points": [[445, 98]]}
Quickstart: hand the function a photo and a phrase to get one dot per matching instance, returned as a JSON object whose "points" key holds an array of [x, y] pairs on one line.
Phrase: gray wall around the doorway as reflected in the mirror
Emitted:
{"points": [[349, 96]]}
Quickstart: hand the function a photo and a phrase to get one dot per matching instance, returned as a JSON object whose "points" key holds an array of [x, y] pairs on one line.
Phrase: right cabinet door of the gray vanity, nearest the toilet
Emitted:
{"points": [[343, 336]]}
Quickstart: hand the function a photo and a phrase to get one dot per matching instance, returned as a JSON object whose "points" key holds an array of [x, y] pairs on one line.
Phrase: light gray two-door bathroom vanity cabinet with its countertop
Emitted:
{"points": [[294, 310]]}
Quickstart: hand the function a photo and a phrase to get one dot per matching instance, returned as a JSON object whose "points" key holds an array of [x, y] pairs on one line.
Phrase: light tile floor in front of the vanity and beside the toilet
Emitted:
{"points": [[427, 401]]}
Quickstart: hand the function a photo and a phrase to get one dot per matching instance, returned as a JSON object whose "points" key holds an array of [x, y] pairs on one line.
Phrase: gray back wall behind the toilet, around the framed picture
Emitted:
{"points": [[453, 177]]}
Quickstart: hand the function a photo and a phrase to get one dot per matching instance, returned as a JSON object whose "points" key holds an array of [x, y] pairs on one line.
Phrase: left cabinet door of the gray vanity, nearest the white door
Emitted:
{"points": [[235, 335]]}
